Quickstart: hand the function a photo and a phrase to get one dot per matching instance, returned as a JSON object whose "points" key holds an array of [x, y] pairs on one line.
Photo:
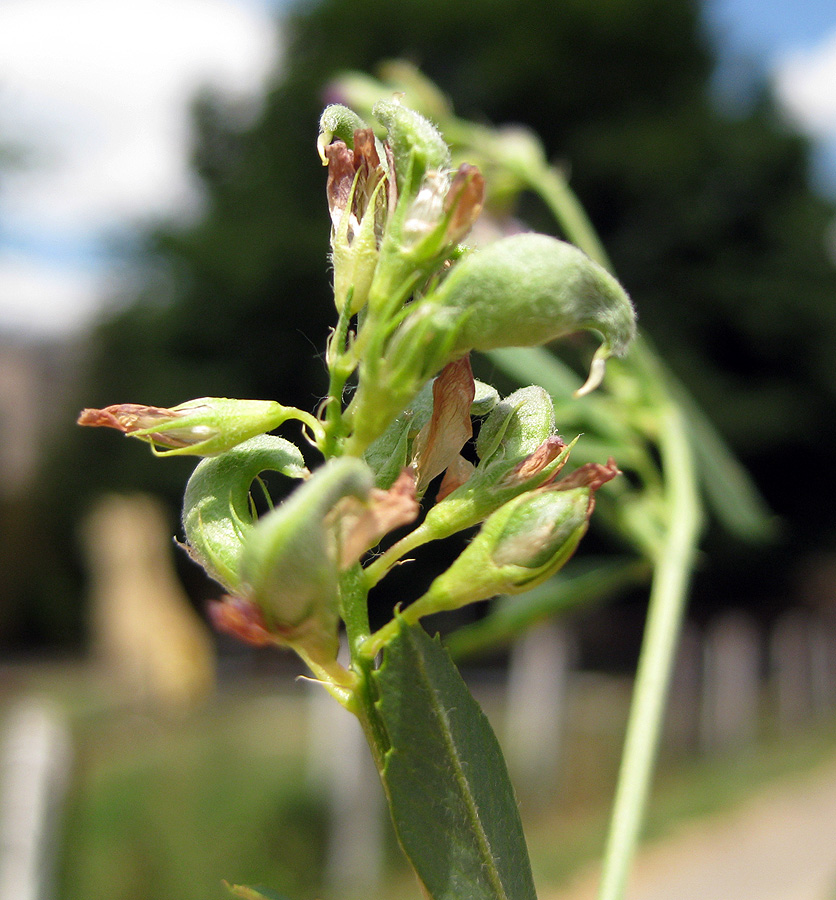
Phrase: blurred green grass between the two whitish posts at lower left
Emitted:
{"points": [[170, 809]]}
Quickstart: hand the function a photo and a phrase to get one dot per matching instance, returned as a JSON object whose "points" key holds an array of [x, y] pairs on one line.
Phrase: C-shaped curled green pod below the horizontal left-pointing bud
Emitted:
{"points": [[217, 511]]}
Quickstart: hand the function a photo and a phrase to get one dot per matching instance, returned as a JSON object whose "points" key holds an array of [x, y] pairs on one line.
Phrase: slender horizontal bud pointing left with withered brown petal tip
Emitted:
{"points": [[204, 427]]}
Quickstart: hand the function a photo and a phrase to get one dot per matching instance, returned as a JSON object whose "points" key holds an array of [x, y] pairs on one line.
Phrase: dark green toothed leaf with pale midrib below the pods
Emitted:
{"points": [[451, 800]]}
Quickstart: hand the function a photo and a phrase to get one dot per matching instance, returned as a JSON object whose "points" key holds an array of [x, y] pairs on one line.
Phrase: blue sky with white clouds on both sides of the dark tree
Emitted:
{"points": [[93, 100]]}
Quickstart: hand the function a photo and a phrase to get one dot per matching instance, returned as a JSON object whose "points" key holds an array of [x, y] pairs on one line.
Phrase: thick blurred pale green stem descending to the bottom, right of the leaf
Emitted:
{"points": [[667, 603]]}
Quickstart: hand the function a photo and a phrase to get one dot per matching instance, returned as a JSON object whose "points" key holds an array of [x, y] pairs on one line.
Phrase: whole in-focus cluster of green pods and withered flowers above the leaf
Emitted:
{"points": [[412, 303]]}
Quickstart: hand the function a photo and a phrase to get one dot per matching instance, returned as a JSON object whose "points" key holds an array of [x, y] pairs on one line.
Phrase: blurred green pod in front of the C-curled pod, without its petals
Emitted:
{"points": [[289, 567]]}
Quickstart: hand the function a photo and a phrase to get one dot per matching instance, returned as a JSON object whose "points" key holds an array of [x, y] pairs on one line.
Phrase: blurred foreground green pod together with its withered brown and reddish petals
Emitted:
{"points": [[286, 581]]}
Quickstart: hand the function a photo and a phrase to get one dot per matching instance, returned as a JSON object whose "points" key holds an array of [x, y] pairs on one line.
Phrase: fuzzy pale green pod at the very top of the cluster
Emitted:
{"points": [[417, 146]]}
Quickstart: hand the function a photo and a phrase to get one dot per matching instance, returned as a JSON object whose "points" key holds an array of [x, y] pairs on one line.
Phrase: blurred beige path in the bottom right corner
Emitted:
{"points": [[779, 845]]}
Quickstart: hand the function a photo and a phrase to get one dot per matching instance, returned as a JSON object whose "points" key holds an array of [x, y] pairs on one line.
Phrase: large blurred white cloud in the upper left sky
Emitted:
{"points": [[98, 88]]}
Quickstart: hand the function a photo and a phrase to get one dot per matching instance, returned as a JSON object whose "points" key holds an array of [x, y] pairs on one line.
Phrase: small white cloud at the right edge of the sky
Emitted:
{"points": [[805, 82]]}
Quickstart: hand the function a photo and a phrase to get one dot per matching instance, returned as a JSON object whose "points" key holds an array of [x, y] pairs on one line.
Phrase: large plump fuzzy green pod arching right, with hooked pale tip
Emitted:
{"points": [[523, 291]]}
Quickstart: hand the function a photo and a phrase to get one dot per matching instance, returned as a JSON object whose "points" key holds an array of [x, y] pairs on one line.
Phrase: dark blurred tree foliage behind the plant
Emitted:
{"points": [[709, 219]]}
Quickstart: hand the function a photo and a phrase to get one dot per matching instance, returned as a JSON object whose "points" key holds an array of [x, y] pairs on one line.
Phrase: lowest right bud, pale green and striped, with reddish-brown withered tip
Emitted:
{"points": [[520, 545]]}
